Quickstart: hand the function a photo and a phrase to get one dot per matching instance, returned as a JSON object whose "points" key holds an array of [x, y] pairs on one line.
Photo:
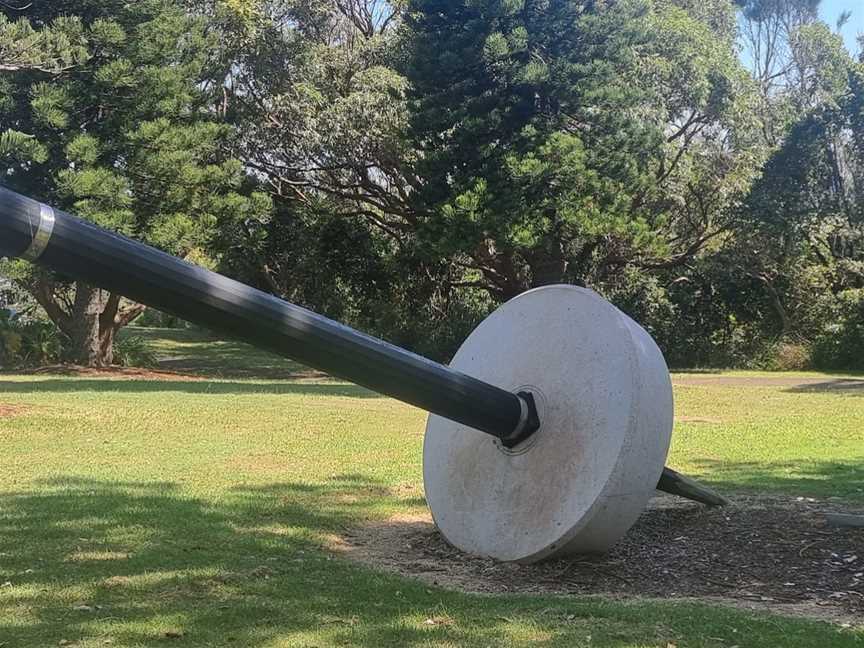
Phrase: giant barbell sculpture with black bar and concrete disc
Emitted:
{"points": [[547, 434]]}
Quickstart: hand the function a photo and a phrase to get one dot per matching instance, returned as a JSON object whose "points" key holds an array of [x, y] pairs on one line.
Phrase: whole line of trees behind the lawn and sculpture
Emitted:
{"points": [[406, 166]]}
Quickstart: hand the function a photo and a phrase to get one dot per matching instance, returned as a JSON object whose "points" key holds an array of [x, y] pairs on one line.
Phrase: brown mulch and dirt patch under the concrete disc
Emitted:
{"points": [[758, 553]]}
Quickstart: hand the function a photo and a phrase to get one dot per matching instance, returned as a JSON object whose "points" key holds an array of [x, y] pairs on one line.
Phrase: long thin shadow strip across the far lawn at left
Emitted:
{"points": [[66, 385]]}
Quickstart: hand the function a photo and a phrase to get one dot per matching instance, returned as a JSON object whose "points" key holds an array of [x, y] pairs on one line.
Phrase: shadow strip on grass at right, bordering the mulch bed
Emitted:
{"points": [[844, 479]]}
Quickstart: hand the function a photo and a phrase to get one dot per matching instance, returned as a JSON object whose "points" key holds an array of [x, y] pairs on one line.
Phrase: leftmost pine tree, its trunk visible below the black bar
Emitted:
{"points": [[131, 140]]}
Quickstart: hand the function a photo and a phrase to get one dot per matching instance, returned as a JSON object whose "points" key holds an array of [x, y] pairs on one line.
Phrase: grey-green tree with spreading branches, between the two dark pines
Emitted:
{"points": [[322, 113]]}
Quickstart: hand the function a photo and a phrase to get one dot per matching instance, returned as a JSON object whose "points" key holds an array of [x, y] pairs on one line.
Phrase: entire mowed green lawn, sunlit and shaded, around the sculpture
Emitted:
{"points": [[200, 513]]}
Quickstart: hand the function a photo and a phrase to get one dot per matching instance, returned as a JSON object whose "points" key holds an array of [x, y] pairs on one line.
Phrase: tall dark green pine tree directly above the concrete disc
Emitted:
{"points": [[531, 148]]}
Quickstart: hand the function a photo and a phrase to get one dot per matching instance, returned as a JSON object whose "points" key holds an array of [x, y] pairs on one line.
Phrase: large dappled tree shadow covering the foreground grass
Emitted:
{"points": [[135, 563]]}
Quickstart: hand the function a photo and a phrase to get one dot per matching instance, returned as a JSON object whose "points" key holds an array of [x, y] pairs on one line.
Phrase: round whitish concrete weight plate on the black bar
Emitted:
{"points": [[605, 404]]}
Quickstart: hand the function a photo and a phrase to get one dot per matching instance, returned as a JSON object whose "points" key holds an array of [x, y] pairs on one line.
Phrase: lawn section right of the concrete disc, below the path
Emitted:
{"points": [[772, 439]]}
